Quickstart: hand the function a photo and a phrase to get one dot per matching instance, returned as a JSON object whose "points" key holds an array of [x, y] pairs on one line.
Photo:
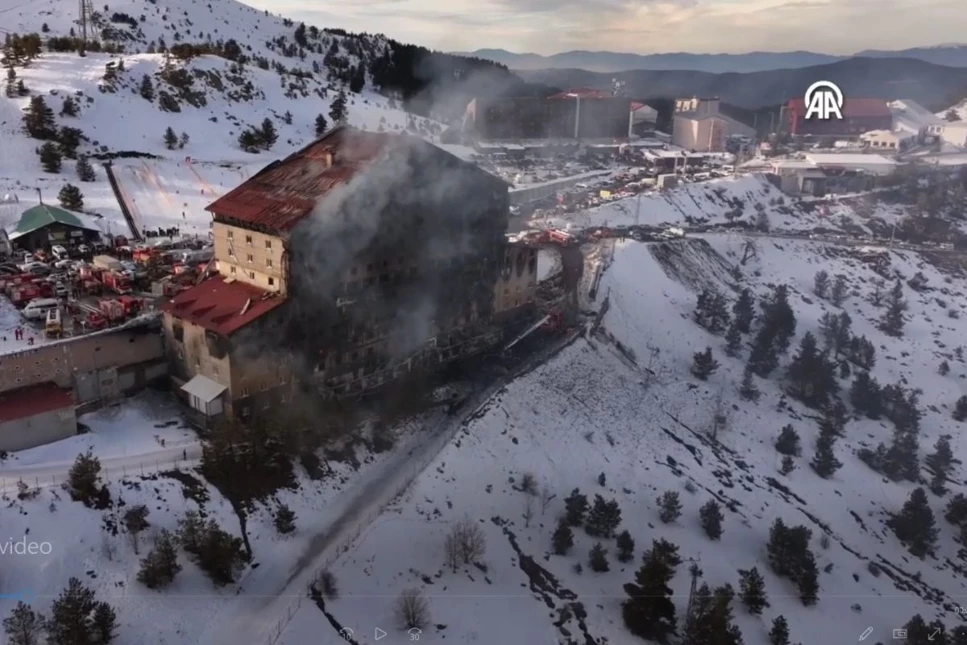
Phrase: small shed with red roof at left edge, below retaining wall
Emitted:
{"points": [[36, 415]]}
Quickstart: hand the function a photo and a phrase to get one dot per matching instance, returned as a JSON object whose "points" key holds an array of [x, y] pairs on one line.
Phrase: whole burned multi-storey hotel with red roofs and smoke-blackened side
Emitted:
{"points": [[360, 259]]}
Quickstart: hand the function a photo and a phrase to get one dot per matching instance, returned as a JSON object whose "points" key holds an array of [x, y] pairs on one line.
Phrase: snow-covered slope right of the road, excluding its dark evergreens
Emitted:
{"points": [[592, 411]]}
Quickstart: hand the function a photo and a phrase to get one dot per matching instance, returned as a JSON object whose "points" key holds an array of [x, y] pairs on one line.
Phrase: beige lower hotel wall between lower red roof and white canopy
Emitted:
{"points": [[191, 353]]}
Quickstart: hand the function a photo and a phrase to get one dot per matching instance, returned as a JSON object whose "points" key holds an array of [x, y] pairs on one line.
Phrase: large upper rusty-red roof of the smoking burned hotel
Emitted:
{"points": [[280, 195]]}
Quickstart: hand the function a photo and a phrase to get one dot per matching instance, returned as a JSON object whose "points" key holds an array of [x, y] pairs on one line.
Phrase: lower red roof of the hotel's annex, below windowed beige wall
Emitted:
{"points": [[220, 306]]}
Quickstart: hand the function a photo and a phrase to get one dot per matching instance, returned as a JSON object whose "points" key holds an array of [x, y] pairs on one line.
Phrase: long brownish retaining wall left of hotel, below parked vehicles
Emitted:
{"points": [[62, 362]]}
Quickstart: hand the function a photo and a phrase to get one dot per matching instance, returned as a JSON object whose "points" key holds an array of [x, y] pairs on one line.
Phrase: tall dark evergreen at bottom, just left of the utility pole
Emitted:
{"points": [[649, 612]]}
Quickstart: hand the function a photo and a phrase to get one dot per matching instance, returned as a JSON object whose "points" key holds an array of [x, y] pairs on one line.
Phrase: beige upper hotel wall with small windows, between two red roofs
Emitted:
{"points": [[250, 256]]}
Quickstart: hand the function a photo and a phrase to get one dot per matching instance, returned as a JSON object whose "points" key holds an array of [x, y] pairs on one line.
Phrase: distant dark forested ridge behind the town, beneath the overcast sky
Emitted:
{"points": [[885, 78]]}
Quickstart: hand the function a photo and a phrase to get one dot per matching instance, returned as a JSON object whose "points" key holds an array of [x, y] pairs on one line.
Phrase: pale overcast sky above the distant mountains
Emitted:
{"points": [[643, 26]]}
